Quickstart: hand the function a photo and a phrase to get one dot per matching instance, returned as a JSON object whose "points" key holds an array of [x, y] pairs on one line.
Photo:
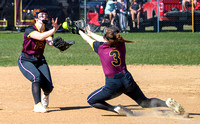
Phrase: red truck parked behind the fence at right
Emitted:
{"points": [[171, 13]]}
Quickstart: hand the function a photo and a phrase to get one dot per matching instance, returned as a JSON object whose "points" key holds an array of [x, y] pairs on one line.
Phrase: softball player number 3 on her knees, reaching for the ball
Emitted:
{"points": [[111, 50]]}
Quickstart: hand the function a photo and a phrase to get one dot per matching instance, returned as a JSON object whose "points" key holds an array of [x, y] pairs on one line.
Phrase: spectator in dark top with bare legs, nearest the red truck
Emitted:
{"points": [[135, 9]]}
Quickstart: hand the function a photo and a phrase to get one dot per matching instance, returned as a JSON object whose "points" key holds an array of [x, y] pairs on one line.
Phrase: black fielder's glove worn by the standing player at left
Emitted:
{"points": [[62, 45]]}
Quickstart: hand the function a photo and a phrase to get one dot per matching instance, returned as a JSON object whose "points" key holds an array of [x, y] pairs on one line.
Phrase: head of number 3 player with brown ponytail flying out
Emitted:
{"points": [[113, 36]]}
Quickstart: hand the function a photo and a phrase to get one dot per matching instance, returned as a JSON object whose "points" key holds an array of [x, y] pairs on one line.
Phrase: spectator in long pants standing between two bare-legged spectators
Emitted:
{"points": [[122, 8]]}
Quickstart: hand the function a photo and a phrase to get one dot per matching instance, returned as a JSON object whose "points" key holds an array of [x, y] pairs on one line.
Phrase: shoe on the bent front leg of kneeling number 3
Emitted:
{"points": [[123, 111]]}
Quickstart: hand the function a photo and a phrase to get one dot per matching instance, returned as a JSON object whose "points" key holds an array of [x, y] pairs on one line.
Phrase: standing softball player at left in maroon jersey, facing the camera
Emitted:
{"points": [[32, 63]]}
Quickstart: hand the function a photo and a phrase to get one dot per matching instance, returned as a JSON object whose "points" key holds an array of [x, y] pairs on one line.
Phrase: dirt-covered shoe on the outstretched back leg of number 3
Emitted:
{"points": [[176, 107]]}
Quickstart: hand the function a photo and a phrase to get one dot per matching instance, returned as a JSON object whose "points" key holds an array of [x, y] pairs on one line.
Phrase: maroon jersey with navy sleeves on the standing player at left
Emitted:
{"points": [[33, 46]]}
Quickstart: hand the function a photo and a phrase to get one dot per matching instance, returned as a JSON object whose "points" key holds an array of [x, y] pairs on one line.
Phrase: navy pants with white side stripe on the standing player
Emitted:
{"points": [[37, 71]]}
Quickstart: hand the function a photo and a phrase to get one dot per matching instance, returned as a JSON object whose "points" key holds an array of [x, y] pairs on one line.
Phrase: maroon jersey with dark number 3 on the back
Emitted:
{"points": [[112, 59]]}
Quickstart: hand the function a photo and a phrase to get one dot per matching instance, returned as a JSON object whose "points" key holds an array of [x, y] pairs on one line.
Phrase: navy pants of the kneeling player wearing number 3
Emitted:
{"points": [[121, 83]]}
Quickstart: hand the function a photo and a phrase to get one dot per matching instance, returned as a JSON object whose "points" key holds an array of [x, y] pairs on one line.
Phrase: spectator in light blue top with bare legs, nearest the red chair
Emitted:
{"points": [[111, 10]]}
